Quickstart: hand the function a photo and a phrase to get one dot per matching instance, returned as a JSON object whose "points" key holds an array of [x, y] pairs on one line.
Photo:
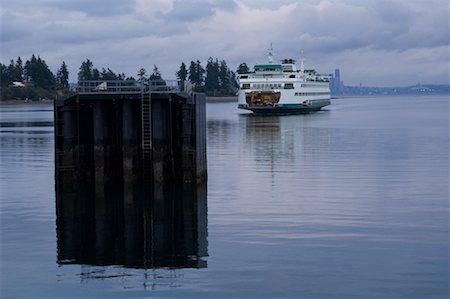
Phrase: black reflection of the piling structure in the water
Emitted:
{"points": [[130, 228]]}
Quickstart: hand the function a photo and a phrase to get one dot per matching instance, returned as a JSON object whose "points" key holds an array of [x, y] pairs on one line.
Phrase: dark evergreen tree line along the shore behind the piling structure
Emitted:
{"points": [[216, 78]]}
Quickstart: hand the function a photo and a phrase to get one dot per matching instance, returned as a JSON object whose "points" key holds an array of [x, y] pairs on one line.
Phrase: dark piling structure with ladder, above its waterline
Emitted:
{"points": [[149, 138]]}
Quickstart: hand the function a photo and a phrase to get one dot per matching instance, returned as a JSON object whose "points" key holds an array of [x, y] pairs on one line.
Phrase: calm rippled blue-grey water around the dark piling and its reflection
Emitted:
{"points": [[351, 202]]}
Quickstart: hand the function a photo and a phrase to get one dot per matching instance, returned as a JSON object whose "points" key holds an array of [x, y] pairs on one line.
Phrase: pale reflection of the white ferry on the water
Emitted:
{"points": [[286, 141]]}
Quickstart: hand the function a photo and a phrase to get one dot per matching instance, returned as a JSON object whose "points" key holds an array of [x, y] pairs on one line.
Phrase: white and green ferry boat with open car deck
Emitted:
{"points": [[282, 88]]}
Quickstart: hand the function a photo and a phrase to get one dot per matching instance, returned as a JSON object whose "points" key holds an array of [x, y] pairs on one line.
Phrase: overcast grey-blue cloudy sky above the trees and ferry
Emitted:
{"points": [[373, 42]]}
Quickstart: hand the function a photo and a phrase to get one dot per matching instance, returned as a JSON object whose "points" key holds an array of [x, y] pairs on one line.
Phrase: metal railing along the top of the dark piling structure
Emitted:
{"points": [[129, 86]]}
